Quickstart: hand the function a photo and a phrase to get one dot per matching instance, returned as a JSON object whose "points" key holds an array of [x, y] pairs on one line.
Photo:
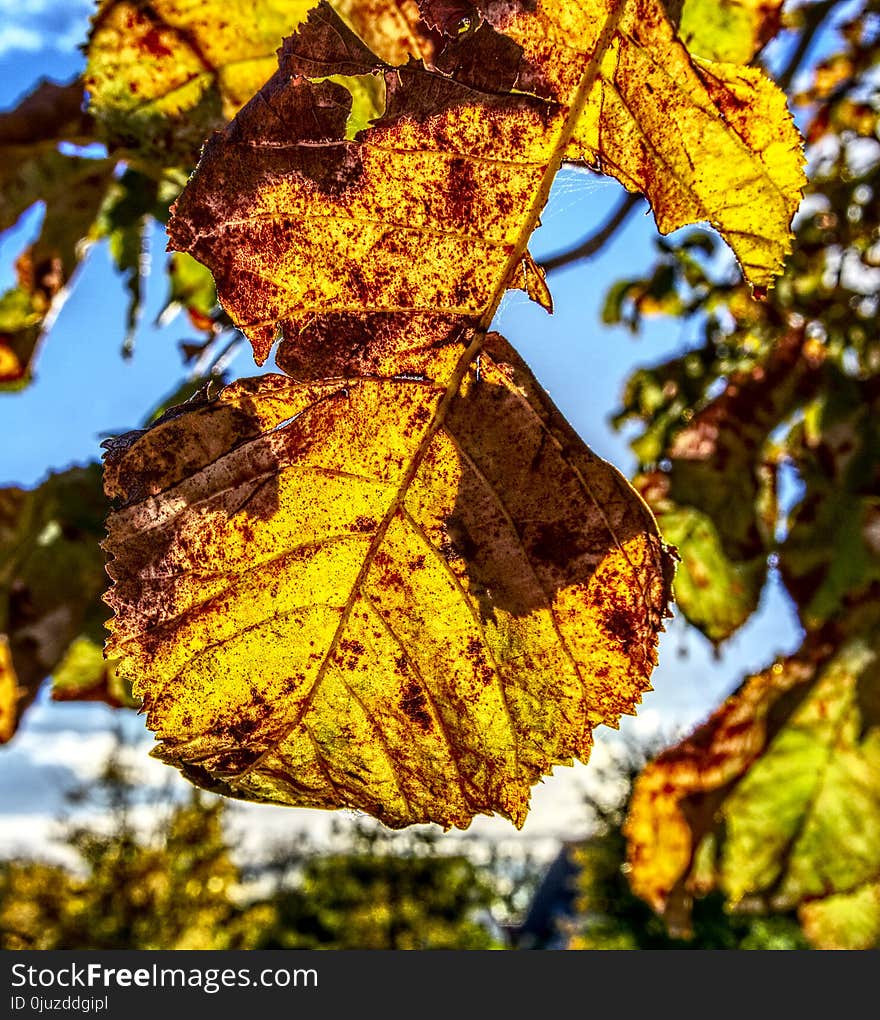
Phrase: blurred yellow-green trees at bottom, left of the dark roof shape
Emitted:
{"points": [[180, 885]]}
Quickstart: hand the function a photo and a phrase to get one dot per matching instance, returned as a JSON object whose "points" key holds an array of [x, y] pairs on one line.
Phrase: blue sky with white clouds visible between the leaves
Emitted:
{"points": [[84, 390]]}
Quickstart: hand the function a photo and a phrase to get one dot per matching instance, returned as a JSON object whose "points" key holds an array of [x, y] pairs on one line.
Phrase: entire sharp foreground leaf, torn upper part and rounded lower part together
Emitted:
{"points": [[353, 491]]}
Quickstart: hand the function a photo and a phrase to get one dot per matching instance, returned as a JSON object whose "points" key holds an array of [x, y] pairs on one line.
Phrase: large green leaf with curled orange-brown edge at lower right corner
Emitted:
{"points": [[774, 800]]}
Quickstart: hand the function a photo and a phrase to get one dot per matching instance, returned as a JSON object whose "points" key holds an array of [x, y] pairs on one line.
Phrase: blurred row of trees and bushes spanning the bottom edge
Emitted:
{"points": [[185, 884]]}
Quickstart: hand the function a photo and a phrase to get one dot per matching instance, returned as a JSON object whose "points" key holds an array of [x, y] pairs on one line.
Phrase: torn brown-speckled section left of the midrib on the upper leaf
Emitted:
{"points": [[306, 238]]}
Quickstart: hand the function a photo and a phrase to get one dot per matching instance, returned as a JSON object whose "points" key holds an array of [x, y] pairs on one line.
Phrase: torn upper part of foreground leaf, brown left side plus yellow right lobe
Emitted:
{"points": [[296, 220]]}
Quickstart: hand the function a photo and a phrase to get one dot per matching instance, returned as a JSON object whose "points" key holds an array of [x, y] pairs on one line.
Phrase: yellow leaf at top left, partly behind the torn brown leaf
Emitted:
{"points": [[163, 76]]}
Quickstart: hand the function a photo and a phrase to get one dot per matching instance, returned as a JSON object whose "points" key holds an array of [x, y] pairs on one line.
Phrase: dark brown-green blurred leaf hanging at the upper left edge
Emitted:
{"points": [[32, 171]]}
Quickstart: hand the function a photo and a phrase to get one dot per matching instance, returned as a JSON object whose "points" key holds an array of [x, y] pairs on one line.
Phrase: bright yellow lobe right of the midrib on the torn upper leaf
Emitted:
{"points": [[703, 141]]}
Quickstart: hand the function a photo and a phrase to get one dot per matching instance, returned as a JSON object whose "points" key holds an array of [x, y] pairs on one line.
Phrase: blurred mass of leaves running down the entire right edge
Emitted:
{"points": [[774, 801]]}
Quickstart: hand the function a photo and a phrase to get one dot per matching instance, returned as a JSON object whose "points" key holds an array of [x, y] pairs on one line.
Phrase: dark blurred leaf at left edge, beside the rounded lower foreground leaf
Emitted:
{"points": [[51, 577]]}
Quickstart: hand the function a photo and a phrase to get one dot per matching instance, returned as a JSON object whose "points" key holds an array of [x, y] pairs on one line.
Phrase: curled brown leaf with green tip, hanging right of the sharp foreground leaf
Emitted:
{"points": [[715, 493]]}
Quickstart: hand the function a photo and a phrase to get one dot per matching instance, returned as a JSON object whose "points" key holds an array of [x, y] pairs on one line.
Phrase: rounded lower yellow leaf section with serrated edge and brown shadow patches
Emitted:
{"points": [[325, 601]]}
